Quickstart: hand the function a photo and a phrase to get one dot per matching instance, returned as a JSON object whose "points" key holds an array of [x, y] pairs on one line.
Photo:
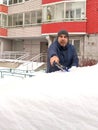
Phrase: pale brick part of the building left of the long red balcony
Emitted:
{"points": [[20, 28]]}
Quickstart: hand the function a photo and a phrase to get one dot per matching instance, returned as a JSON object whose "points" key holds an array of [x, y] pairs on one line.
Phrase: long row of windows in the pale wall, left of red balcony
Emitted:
{"points": [[25, 19]]}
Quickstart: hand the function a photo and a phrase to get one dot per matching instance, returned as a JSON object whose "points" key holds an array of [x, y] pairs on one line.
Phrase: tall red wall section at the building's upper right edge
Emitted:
{"points": [[92, 16]]}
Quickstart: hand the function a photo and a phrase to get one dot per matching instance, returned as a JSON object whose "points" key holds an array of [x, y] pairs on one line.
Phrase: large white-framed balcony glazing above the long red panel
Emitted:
{"points": [[64, 11]]}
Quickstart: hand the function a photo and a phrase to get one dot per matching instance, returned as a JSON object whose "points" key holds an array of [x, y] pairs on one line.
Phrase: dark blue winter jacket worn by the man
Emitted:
{"points": [[67, 56]]}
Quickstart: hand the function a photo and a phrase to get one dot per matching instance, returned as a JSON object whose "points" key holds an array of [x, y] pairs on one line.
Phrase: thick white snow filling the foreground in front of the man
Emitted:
{"points": [[53, 101]]}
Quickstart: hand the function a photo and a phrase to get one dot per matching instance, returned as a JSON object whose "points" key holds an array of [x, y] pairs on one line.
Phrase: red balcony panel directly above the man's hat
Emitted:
{"points": [[69, 26]]}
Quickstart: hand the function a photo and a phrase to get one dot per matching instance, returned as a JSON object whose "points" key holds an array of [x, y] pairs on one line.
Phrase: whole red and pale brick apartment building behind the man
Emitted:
{"points": [[30, 26]]}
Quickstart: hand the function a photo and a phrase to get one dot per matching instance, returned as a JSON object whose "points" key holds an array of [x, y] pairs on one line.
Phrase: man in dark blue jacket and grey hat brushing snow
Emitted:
{"points": [[61, 52]]}
